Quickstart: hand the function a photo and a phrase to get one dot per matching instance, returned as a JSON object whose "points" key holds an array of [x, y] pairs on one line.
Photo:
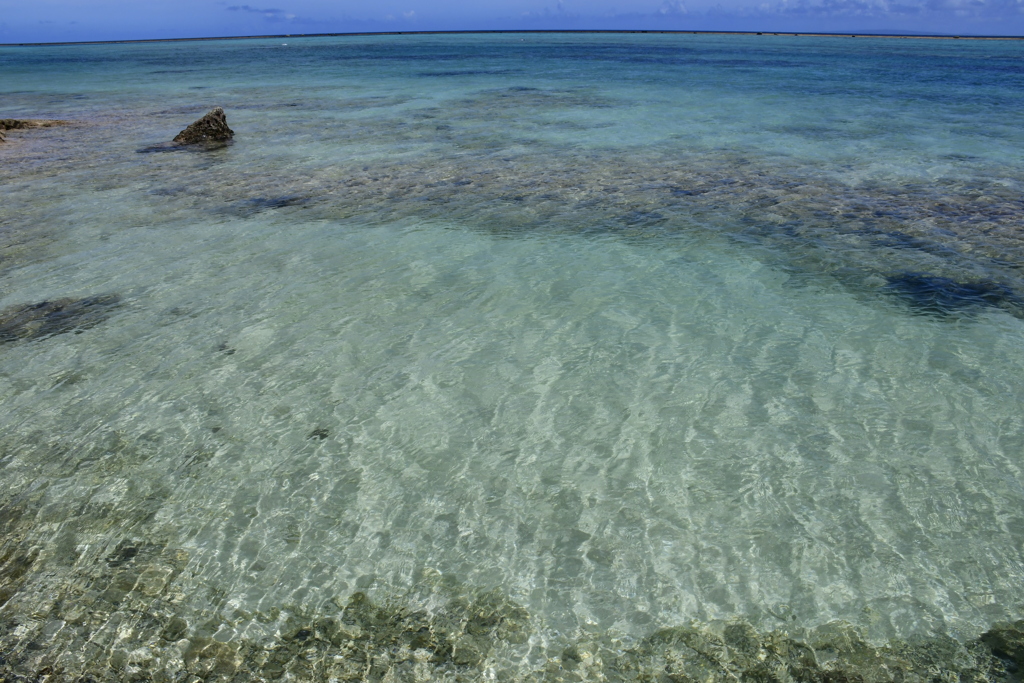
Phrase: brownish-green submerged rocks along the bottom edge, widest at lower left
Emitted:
{"points": [[114, 613]]}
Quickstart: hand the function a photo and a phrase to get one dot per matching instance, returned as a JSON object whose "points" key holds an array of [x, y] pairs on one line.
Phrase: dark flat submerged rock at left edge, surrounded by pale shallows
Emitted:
{"points": [[54, 318]]}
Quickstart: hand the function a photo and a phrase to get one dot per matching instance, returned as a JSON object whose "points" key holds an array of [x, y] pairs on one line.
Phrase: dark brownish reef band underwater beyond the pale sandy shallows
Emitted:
{"points": [[872, 238]]}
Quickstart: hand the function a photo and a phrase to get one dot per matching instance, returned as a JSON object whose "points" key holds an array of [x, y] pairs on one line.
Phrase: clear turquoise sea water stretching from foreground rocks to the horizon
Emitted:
{"points": [[630, 331]]}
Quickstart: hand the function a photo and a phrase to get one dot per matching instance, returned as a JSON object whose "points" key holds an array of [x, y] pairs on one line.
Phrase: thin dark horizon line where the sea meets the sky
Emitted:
{"points": [[813, 34]]}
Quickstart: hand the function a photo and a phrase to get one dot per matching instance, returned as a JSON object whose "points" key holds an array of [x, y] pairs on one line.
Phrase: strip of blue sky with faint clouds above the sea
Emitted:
{"points": [[44, 21]]}
